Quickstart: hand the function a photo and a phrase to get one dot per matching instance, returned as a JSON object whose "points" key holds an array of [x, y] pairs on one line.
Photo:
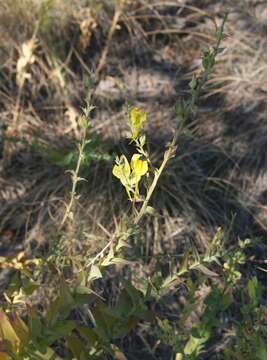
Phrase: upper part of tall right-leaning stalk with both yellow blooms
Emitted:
{"points": [[130, 177]]}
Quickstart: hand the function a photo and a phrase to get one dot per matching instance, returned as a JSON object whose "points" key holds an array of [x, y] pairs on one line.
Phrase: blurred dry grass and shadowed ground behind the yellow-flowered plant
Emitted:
{"points": [[141, 53]]}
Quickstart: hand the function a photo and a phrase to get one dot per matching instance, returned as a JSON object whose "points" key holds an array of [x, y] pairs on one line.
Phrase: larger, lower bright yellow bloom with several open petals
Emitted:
{"points": [[130, 175]]}
